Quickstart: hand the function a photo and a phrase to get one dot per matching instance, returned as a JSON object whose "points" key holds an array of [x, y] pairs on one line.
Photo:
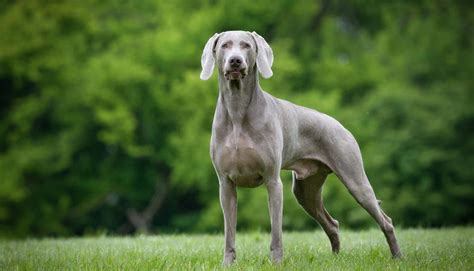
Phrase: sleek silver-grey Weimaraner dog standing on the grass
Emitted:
{"points": [[255, 135]]}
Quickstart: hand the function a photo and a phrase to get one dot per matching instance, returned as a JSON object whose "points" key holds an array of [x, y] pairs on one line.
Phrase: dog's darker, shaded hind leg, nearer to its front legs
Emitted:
{"points": [[308, 192]]}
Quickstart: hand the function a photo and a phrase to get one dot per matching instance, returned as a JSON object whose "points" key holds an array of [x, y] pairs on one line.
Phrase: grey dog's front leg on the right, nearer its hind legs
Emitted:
{"points": [[275, 204]]}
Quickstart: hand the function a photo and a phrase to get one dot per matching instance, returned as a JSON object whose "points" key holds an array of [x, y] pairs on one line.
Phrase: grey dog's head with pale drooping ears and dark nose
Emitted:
{"points": [[236, 52]]}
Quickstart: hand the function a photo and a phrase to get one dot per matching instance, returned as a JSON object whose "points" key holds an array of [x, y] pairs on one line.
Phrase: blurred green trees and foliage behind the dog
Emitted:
{"points": [[105, 125]]}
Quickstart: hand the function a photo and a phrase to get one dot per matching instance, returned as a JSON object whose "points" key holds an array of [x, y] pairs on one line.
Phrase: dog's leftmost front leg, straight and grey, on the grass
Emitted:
{"points": [[228, 198]]}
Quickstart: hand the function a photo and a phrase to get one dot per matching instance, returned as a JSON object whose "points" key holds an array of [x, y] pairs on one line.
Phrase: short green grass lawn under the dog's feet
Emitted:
{"points": [[426, 249]]}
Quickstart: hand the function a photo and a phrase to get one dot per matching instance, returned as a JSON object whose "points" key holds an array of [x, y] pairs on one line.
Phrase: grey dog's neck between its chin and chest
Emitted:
{"points": [[236, 96]]}
